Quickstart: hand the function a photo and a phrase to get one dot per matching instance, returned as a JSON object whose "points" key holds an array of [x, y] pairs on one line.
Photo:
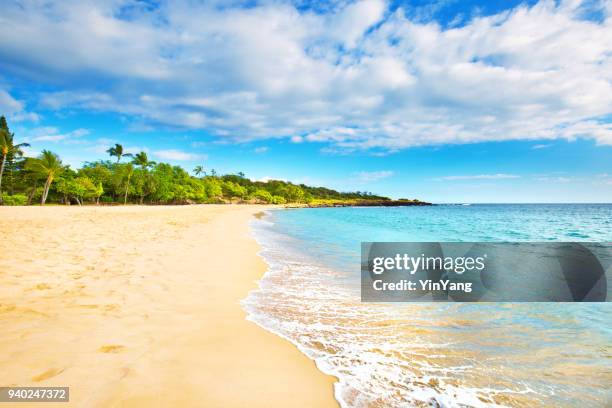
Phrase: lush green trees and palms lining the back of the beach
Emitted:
{"points": [[127, 178]]}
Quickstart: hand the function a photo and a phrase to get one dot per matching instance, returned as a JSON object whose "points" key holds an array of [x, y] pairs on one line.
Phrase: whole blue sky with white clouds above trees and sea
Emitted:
{"points": [[445, 101]]}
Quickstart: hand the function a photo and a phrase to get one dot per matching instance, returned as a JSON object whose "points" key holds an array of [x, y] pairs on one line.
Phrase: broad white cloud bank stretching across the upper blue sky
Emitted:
{"points": [[359, 76]]}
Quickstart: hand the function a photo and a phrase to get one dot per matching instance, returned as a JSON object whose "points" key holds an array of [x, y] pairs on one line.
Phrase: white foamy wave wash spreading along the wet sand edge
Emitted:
{"points": [[374, 361]]}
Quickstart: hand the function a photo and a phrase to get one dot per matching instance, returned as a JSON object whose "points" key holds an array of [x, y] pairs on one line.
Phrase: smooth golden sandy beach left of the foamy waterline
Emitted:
{"points": [[140, 306]]}
